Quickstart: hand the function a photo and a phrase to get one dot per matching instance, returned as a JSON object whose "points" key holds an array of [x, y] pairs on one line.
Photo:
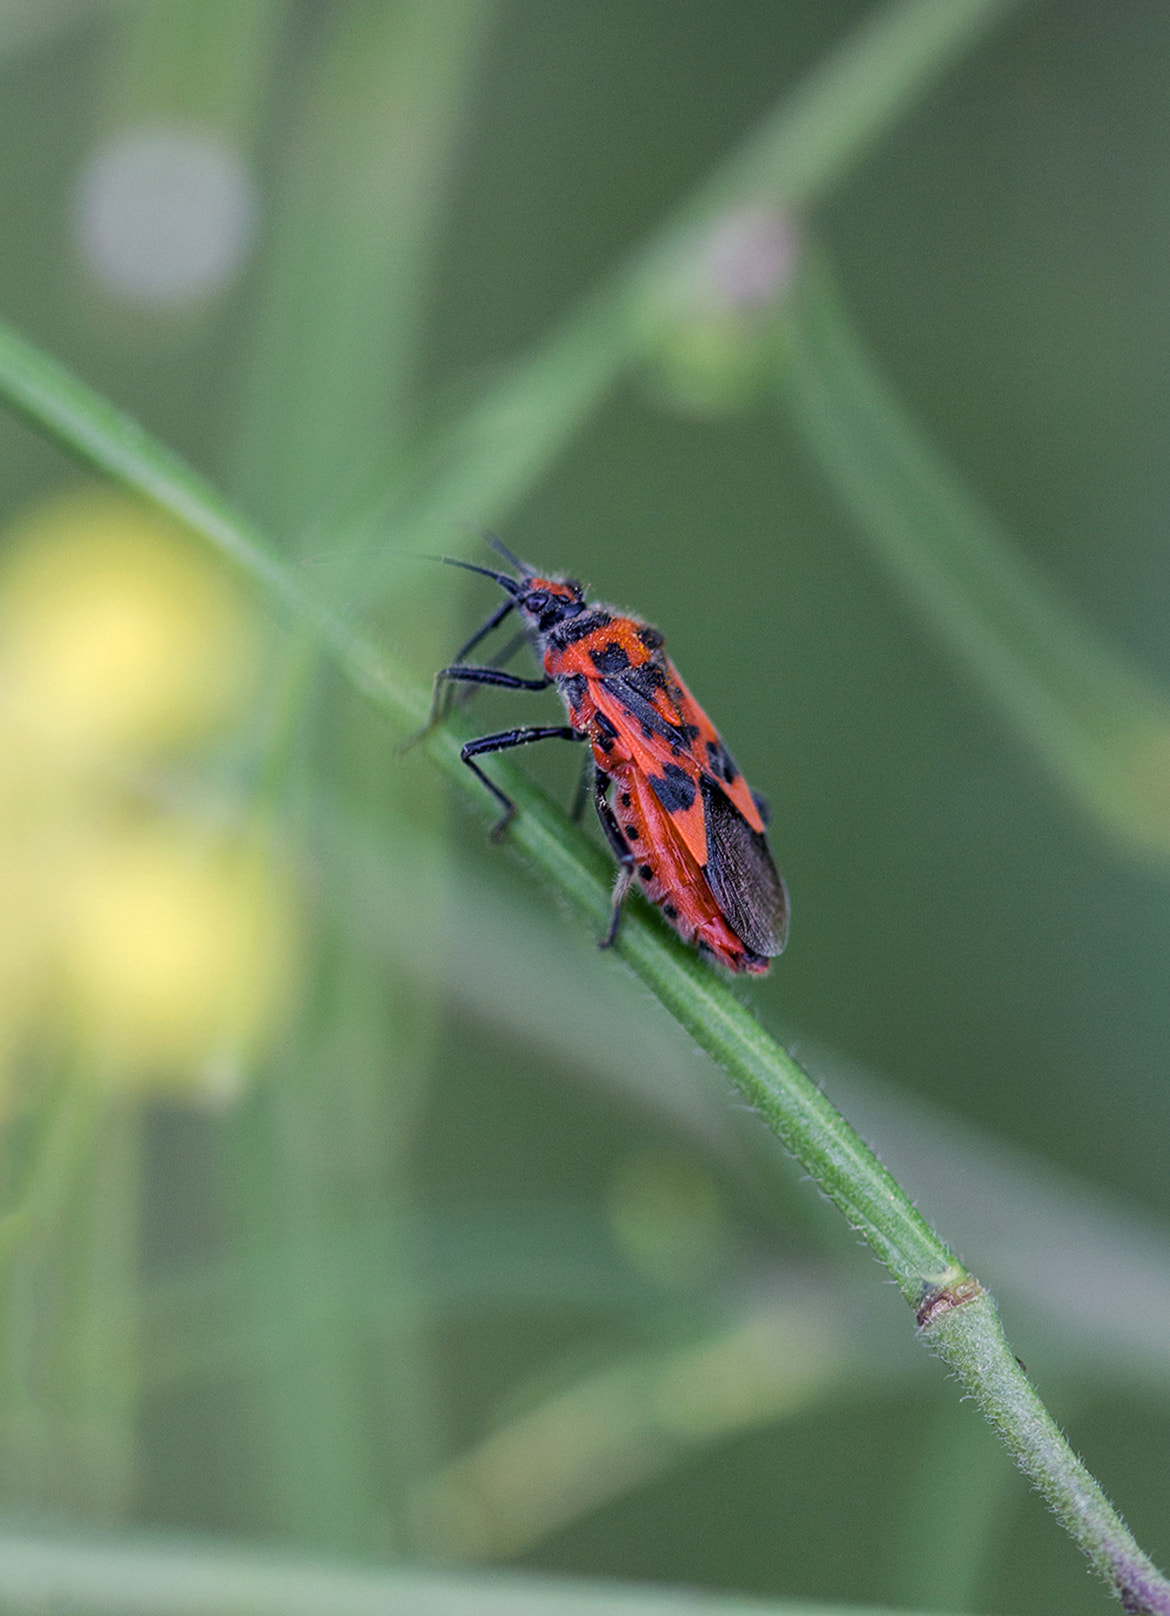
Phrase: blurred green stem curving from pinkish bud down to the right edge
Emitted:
{"points": [[1100, 726]]}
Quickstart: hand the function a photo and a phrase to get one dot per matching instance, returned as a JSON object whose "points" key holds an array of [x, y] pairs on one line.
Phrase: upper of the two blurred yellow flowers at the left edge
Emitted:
{"points": [[117, 633]]}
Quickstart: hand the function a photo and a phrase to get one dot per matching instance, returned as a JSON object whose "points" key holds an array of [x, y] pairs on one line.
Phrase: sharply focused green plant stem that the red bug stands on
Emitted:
{"points": [[957, 1318]]}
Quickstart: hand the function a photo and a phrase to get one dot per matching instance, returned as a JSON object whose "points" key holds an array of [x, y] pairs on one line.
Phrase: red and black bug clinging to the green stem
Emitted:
{"points": [[675, 807]]}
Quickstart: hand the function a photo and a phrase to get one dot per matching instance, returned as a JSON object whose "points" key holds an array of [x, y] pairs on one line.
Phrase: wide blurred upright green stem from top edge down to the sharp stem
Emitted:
{"points": [[330, 381]]}
